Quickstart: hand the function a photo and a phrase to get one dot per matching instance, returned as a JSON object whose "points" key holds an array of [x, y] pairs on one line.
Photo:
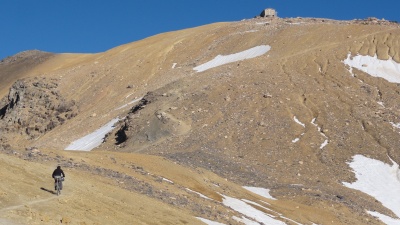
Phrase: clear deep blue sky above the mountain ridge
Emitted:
{"points": [[90, 26]]}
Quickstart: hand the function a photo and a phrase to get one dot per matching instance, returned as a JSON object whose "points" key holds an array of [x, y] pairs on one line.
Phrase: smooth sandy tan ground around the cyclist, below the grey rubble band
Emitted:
{"points": [[28, 198]]}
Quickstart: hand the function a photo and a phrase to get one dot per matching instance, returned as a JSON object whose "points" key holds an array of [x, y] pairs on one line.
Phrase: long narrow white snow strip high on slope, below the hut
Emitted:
{"points": [[222, 60]]}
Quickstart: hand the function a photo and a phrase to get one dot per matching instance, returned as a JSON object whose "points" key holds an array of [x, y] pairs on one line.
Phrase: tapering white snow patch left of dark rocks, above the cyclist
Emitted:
{"points": [[92, 140]]}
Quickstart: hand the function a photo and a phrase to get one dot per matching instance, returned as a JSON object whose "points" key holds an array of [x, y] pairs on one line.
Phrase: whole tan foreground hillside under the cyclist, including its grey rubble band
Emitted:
{"points": [[104, 187]]}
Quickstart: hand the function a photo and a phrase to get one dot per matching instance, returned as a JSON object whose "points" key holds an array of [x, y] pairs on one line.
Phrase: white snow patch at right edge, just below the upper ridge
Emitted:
{"points": [[387, 69]]}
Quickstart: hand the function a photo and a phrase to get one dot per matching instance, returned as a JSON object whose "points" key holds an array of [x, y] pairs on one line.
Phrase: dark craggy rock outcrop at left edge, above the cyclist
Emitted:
{"points": [[33, 107]]}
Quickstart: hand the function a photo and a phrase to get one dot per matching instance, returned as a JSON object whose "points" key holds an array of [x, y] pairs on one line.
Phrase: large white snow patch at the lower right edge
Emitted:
{"points": [[380, 181]]}
